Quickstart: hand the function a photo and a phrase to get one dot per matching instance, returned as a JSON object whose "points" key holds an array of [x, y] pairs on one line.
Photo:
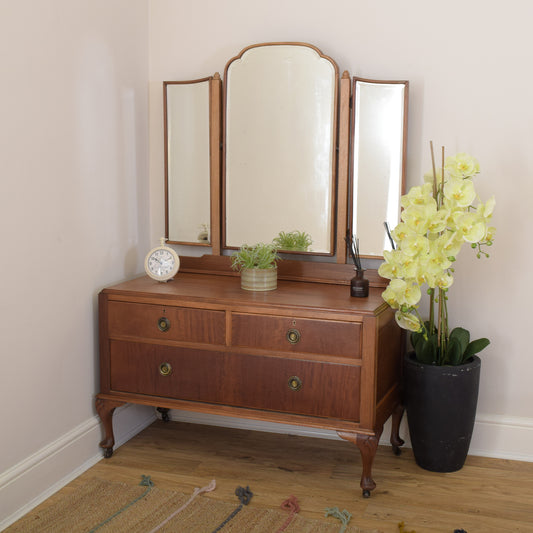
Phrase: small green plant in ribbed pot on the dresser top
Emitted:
{"points": [[257, 265]]}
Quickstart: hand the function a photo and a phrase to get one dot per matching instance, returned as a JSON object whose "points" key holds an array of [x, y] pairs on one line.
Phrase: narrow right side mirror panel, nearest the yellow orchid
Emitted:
{"points": [[378, 161]]}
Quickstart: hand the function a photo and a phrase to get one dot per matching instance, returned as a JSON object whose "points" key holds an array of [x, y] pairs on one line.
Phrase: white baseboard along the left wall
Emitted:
{"points": [[30, 482]]}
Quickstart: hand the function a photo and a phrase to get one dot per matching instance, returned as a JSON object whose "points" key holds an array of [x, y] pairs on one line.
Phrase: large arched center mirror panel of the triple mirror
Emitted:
{"points": [[279, 148]]}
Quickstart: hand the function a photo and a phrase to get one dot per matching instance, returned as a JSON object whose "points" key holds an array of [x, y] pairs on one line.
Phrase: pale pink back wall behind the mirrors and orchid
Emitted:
{"points": [[468, 64]]}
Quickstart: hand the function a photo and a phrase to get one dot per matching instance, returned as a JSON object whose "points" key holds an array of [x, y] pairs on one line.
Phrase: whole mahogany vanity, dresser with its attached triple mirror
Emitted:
{"points": [[282, 143]]}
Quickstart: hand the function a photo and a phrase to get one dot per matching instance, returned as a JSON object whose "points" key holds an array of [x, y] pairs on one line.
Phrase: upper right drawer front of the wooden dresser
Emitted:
{"points": [[303, 335]]}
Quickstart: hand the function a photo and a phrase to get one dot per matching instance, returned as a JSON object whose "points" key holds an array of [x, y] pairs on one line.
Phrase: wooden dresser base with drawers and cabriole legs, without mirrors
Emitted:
{"points": [[305, 354]]}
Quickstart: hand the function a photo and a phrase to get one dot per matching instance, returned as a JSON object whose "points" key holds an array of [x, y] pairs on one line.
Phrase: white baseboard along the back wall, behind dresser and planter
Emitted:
{"points": [[494, 435]]}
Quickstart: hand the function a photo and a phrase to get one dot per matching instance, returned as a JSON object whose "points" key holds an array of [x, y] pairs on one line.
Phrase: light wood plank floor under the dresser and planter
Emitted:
{"points": [[486, 496]]}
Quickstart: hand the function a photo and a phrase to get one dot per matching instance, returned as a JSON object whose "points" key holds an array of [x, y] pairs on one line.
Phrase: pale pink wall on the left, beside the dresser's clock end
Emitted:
{"points": [[73, 201]]}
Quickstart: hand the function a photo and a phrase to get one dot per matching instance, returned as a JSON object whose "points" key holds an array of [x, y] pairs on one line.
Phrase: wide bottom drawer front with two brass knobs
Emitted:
{"points": [[257, 382]]}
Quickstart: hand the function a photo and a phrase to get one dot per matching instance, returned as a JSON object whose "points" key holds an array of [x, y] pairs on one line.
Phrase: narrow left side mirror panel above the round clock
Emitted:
{"points": [[187, 161]]}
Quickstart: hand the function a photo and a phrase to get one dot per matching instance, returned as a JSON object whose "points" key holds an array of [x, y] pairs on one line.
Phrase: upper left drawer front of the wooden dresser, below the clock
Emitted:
{"points": [[166, 323]]}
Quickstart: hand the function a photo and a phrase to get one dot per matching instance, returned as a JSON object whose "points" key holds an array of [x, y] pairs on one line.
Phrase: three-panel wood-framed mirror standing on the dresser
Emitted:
{"points": [[281, 157]]}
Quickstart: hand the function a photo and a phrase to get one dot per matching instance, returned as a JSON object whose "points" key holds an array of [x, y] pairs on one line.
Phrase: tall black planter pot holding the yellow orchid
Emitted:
{"points": [[441, 404]]}
